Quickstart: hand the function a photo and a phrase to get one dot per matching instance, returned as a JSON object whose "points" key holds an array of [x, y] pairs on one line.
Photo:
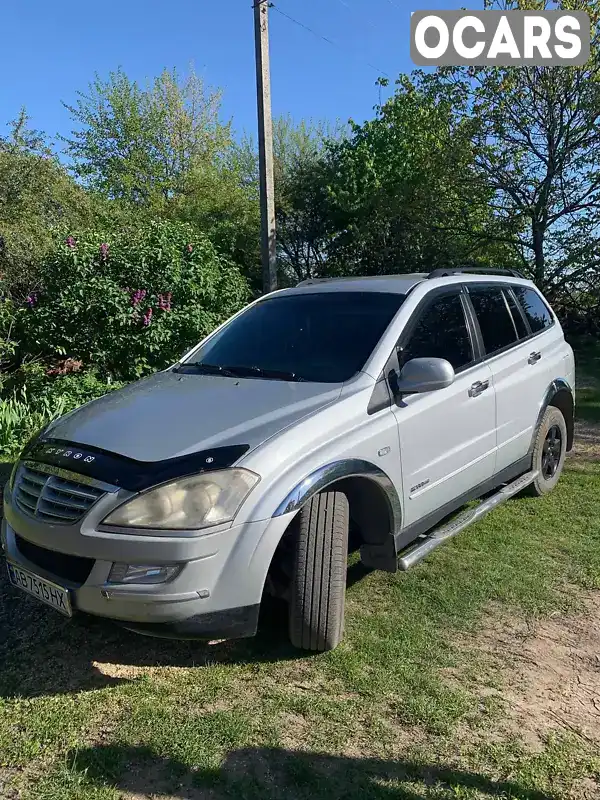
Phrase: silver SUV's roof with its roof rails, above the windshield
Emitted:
{"points": [[398, 284]]}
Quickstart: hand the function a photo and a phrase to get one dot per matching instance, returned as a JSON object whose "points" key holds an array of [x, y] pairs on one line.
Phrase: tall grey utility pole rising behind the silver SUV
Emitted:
{"points": [[265, 145]]}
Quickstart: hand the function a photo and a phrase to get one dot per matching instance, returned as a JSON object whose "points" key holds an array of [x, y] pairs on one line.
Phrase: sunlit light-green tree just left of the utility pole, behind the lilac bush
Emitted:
{"points": [[161, 152]]}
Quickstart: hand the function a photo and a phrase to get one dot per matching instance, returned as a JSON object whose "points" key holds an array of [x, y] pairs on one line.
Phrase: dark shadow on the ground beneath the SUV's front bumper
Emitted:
{"points": [[42, 653]]}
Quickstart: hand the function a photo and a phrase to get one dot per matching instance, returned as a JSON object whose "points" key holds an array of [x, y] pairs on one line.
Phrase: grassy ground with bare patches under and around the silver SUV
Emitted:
{"points": [[475, 675]]}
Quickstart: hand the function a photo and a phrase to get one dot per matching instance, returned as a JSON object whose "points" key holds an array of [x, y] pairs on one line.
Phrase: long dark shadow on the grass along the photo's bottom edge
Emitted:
{"points": [[272, 773]]}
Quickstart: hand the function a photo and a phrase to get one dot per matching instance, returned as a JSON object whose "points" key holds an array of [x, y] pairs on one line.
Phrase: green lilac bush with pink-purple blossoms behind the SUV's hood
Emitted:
{"points": [[129, 303]]}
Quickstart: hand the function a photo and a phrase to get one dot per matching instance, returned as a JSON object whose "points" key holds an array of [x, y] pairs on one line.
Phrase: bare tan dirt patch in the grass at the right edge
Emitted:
{"points": [[549, 674]]}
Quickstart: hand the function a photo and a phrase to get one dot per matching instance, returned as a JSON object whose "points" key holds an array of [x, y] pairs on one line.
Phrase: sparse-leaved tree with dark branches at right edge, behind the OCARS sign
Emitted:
{"points": [[536, 140]]}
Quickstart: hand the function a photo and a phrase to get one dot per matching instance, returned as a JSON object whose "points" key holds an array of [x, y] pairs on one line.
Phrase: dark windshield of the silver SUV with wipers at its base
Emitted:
{"points": [[322, 337]]}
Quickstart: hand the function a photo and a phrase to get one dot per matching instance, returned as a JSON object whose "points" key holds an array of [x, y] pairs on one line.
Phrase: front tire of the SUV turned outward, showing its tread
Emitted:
{"points": [[318, 587]]}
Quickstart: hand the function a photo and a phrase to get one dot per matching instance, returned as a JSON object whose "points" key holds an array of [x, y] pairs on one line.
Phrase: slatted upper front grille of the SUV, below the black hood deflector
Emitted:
{"points": [[52, 498]]}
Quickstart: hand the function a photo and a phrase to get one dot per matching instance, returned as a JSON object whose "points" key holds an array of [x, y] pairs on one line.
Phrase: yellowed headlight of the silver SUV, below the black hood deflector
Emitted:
{"points": [[199, 501]]}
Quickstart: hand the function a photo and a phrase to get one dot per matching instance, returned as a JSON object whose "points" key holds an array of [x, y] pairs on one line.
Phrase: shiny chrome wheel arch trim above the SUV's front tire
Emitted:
{"points": [[337, 470]]}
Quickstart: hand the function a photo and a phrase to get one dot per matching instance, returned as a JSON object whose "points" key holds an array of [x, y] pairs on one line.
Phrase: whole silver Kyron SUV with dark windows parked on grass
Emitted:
{"points": [[355, 410]]}
